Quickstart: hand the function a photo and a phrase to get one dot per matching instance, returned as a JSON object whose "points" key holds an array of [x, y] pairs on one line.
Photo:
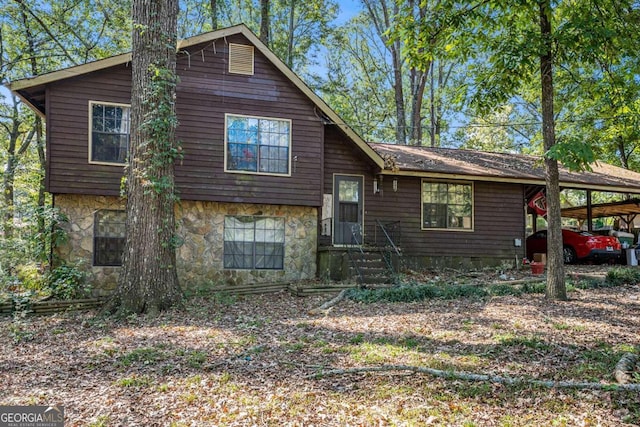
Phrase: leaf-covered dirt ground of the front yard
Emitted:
{"points": [[251, 361]]}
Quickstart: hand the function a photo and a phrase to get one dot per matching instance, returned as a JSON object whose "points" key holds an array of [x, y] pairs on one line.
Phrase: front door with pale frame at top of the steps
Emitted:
{"points": [[347, 211]]}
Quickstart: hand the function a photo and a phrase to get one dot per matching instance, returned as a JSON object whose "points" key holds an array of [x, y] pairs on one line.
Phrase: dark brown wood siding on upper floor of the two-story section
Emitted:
{"points": [[205, 93]]}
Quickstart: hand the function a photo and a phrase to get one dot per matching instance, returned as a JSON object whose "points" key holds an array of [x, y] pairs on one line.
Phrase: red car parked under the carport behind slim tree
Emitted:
{"points": [[577, 246]]}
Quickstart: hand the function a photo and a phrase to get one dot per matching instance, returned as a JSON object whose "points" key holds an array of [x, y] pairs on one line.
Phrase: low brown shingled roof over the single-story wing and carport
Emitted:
{"points": [[487, 166]]}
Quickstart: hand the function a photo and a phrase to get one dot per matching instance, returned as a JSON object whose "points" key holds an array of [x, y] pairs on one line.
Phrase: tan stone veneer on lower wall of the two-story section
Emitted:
{"points": [[200, 228]]}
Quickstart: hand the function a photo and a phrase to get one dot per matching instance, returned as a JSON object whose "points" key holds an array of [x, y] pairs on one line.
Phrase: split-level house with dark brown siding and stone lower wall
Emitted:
{"points": [[273, 185]]}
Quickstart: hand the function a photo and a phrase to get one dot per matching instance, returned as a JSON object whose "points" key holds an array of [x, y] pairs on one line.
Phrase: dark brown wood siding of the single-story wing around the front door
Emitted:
{"points": [[498, 210]]}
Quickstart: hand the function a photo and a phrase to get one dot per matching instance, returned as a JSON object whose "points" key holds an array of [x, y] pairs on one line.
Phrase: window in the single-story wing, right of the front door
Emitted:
{"points": [[447, 205]]}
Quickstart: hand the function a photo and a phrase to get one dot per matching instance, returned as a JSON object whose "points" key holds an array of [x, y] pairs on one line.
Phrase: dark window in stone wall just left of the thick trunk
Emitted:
{"points": [[109, 232]]}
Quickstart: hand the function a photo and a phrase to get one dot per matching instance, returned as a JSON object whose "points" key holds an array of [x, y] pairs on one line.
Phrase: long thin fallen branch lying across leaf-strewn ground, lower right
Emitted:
{"points": [[478, 377]]}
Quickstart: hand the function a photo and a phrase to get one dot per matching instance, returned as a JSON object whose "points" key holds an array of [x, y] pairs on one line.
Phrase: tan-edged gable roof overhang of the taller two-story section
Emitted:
{"points": [[31, 90]]}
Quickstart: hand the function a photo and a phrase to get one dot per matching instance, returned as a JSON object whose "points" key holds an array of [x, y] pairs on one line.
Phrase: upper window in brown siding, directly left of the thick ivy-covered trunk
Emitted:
{"points": [[109, 126]]}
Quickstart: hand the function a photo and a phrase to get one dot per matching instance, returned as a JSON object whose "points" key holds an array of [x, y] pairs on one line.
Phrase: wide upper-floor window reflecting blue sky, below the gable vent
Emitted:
{"points": [[257, 144]]}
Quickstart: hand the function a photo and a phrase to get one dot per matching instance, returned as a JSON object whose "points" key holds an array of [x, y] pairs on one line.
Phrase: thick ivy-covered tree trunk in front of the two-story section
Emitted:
{"points": [[148, 282]]}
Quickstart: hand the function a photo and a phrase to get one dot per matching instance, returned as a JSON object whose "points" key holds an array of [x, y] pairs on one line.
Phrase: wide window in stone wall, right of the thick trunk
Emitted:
{"points": [[254, 242]]}
